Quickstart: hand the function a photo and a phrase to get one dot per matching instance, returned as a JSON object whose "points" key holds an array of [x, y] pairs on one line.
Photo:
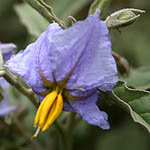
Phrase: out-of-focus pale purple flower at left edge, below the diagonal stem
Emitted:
{"points": [[4, 106]]}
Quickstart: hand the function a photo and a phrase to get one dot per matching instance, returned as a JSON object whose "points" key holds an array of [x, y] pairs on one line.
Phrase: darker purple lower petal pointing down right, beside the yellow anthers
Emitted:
{"points": [[89, 111]]}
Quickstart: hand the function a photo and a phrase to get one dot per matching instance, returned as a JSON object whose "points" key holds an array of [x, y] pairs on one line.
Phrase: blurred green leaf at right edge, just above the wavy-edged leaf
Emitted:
{"points": [[139, 78]]}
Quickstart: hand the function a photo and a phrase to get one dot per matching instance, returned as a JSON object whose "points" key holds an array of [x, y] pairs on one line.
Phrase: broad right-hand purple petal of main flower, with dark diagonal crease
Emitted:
{"points": [[85, 49]]}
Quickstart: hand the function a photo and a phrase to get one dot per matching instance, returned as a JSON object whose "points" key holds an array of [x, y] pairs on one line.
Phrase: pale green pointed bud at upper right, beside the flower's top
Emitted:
{"points": [[123, 17]]}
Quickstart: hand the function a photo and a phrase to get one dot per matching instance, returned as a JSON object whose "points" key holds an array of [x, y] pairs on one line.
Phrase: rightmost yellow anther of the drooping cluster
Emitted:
{"points": [[55, 112]]}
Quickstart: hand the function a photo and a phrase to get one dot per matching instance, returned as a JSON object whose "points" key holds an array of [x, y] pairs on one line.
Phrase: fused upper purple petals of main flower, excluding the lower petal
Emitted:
{"points": [[84, 49]]}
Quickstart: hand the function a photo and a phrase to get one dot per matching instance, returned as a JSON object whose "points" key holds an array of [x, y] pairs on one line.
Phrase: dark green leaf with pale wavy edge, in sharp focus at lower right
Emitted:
{"points": [[136, 102]]}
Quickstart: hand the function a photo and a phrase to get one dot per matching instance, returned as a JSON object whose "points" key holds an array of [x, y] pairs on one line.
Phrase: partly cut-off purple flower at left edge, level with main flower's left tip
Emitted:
{"points": [[7, 49]]}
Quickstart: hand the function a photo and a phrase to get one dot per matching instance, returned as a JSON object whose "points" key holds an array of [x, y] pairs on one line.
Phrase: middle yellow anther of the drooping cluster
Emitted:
{"points": [[48, 101]]}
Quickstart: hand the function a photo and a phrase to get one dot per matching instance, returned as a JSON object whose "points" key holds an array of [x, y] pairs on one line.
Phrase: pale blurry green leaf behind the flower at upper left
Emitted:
{"points": [[34, 22]]}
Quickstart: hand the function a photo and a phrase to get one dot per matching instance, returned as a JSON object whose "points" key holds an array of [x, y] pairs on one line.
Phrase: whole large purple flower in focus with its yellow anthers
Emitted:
{"points": [[65, 68]]}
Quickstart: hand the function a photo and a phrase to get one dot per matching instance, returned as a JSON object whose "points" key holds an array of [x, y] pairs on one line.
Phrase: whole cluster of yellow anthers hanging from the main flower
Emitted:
{"points": [[49, 109]]}
